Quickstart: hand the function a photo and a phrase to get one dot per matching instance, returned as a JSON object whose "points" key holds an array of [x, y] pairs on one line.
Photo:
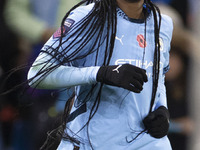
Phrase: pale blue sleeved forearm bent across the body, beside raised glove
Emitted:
{"points": [[61, 77]]}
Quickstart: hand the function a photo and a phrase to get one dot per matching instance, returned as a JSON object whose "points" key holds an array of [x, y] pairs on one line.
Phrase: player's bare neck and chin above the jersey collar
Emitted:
{"points": [[132, 10]]}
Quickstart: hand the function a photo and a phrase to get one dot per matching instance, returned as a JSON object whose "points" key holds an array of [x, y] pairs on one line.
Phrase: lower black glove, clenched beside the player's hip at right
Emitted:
{"points": [[157, 122]]}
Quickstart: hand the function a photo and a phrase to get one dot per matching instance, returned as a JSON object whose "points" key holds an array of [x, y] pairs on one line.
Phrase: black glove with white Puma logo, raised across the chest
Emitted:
{"points": [[126, 76]]}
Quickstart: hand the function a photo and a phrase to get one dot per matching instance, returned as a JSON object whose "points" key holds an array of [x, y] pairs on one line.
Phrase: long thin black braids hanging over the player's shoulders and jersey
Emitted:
{"points": [[100, 21]]}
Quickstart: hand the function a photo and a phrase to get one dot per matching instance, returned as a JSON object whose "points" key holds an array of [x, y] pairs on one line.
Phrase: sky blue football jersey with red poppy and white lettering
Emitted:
{"points": [[120, 113]]}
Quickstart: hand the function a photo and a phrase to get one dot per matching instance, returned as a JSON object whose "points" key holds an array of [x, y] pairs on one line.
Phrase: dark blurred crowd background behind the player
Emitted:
{"points": [[26, 115]]}
